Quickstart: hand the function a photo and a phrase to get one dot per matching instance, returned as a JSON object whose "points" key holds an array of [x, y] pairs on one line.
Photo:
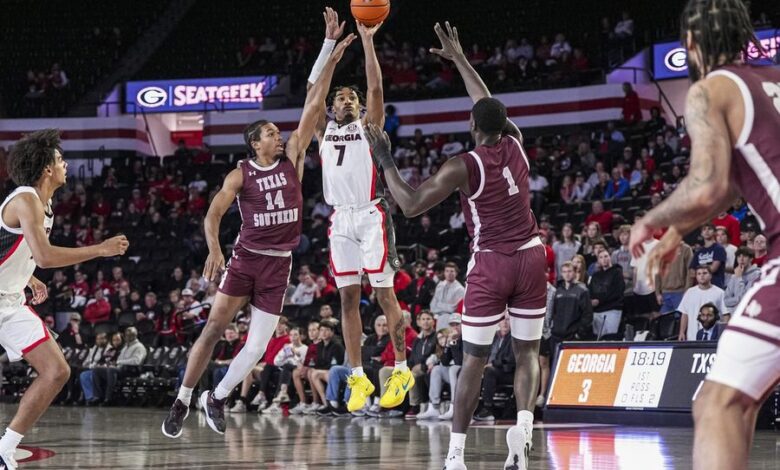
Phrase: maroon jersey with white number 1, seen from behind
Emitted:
{"points": [[498, 212]]}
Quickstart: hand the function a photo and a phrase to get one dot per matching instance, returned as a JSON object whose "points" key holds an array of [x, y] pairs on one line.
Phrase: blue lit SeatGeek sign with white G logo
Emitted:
{"points": [[209, 94]]}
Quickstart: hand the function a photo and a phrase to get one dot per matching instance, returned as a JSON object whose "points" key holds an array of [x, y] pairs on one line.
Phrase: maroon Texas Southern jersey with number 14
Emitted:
{"points": [[271, 206]]}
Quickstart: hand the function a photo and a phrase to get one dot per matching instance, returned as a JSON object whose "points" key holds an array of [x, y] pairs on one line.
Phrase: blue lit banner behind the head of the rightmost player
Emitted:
{"points": [[670, 59]]}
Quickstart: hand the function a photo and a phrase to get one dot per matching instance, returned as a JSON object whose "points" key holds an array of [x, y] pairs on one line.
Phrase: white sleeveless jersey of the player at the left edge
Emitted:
{"points": [[16, 261]]}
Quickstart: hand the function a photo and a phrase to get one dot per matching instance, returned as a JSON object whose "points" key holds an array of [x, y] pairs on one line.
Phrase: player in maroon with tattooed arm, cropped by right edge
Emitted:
{"points": [[732, 114]]}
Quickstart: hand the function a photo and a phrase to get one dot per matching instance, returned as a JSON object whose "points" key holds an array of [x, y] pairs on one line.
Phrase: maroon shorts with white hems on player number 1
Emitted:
{"points": [[496, 284]]}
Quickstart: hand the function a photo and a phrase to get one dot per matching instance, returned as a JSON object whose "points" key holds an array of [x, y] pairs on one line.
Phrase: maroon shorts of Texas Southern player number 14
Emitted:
{"points": [[263, 277]]}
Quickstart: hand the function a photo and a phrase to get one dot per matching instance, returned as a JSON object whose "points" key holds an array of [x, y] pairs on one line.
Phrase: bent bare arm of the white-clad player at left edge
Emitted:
{"points": [[29, 209]]}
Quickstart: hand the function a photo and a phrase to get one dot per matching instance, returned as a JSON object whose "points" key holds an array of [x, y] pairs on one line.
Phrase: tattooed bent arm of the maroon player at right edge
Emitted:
{"points": [[706, 190]]}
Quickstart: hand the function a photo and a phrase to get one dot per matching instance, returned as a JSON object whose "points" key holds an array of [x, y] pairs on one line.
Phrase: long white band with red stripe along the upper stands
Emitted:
{"points": [[569, 106]]}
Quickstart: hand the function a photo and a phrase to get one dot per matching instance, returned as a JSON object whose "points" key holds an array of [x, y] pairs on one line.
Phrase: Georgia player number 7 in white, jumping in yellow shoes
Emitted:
{"points": [[362, 239]]}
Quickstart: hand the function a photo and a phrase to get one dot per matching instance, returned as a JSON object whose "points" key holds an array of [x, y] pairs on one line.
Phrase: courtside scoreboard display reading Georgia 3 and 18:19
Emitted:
{"points": [[630, 376]]}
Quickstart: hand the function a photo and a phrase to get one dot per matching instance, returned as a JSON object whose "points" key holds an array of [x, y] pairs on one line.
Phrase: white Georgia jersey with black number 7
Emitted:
{"points": [[348, 173]]}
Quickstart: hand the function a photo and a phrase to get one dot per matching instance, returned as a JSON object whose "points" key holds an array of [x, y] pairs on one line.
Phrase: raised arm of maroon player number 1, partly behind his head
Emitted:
{"points": [[476, 88]]}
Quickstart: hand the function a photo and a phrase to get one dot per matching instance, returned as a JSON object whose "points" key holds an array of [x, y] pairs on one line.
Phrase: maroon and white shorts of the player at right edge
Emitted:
{"points": [[748, 356]]}
